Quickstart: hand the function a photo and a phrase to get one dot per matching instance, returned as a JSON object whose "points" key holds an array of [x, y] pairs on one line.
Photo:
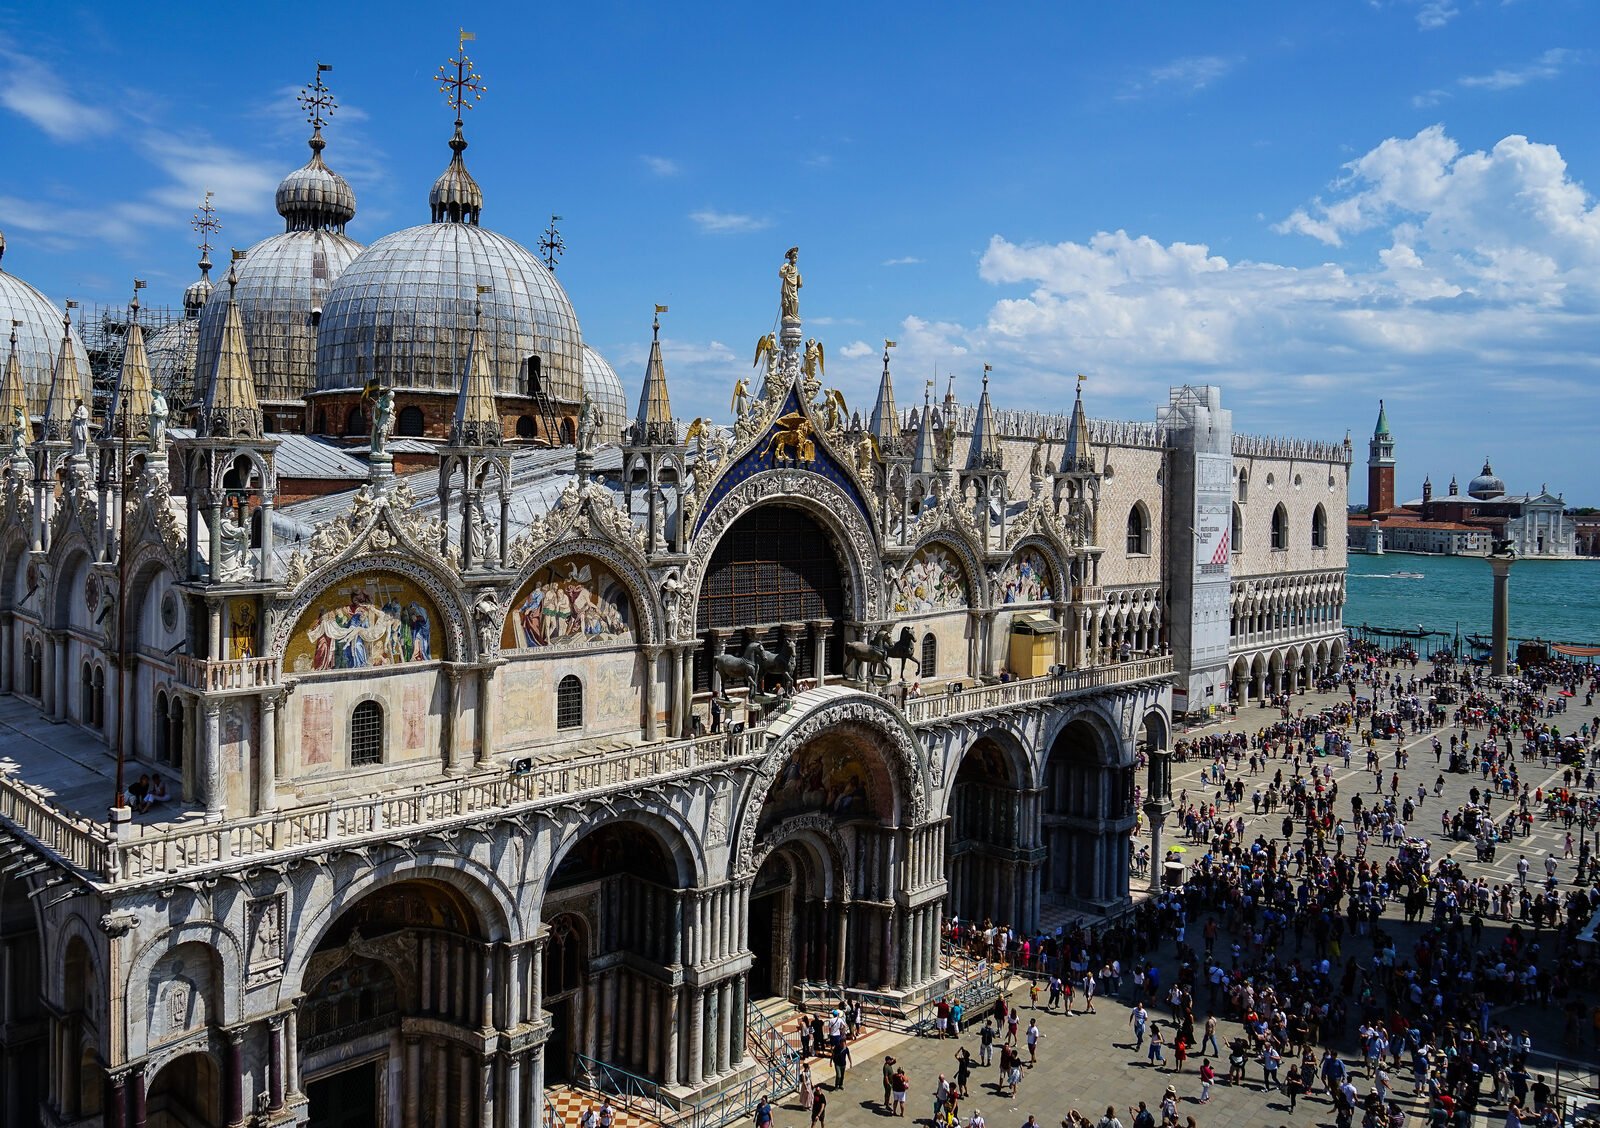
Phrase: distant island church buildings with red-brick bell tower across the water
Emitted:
{"points": [[1455, 526]]}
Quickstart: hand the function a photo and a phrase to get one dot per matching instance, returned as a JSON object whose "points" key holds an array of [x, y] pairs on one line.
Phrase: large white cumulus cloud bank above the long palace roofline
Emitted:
{"points": [[1473, 270]]}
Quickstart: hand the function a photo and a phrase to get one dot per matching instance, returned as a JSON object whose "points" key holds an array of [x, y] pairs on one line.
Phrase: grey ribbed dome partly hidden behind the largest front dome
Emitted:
{"points": [[282, 281]]}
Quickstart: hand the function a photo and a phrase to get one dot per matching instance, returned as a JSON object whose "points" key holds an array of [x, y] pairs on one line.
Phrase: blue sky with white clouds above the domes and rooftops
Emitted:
{"points": [[1311, 206]]}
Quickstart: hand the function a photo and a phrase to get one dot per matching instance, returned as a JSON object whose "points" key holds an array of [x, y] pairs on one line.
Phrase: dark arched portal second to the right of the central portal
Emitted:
{"points": [[1087, 818]]}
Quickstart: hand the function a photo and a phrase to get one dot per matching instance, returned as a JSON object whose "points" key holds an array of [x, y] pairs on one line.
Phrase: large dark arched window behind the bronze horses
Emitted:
{"points": [[775, 572]]}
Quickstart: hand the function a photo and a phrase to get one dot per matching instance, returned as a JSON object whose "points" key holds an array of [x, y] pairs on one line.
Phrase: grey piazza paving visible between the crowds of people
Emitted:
{"points": [[1087, 1062]]}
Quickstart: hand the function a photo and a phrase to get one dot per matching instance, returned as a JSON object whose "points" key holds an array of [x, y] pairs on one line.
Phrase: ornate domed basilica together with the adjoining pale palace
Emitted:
{"points": [[511, 735]]}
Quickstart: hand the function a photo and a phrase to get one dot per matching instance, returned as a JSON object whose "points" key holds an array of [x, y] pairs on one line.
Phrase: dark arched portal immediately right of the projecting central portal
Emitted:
{"points": [[991, 836]]}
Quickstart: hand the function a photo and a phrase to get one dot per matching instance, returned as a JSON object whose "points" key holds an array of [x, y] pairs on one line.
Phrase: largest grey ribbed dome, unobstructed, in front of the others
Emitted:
{"points": [[402, 313]]}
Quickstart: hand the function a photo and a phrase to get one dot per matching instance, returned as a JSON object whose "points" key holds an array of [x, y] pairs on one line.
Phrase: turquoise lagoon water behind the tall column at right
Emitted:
{"points": [[1550, 599]]}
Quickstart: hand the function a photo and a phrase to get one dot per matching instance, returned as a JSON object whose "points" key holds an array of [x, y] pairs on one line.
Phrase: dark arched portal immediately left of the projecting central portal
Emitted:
{"points": [[617, 908]]}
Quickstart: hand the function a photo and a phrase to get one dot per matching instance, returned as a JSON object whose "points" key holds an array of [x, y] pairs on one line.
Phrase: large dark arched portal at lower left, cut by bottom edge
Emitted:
{"points": [[398, 993]]}
